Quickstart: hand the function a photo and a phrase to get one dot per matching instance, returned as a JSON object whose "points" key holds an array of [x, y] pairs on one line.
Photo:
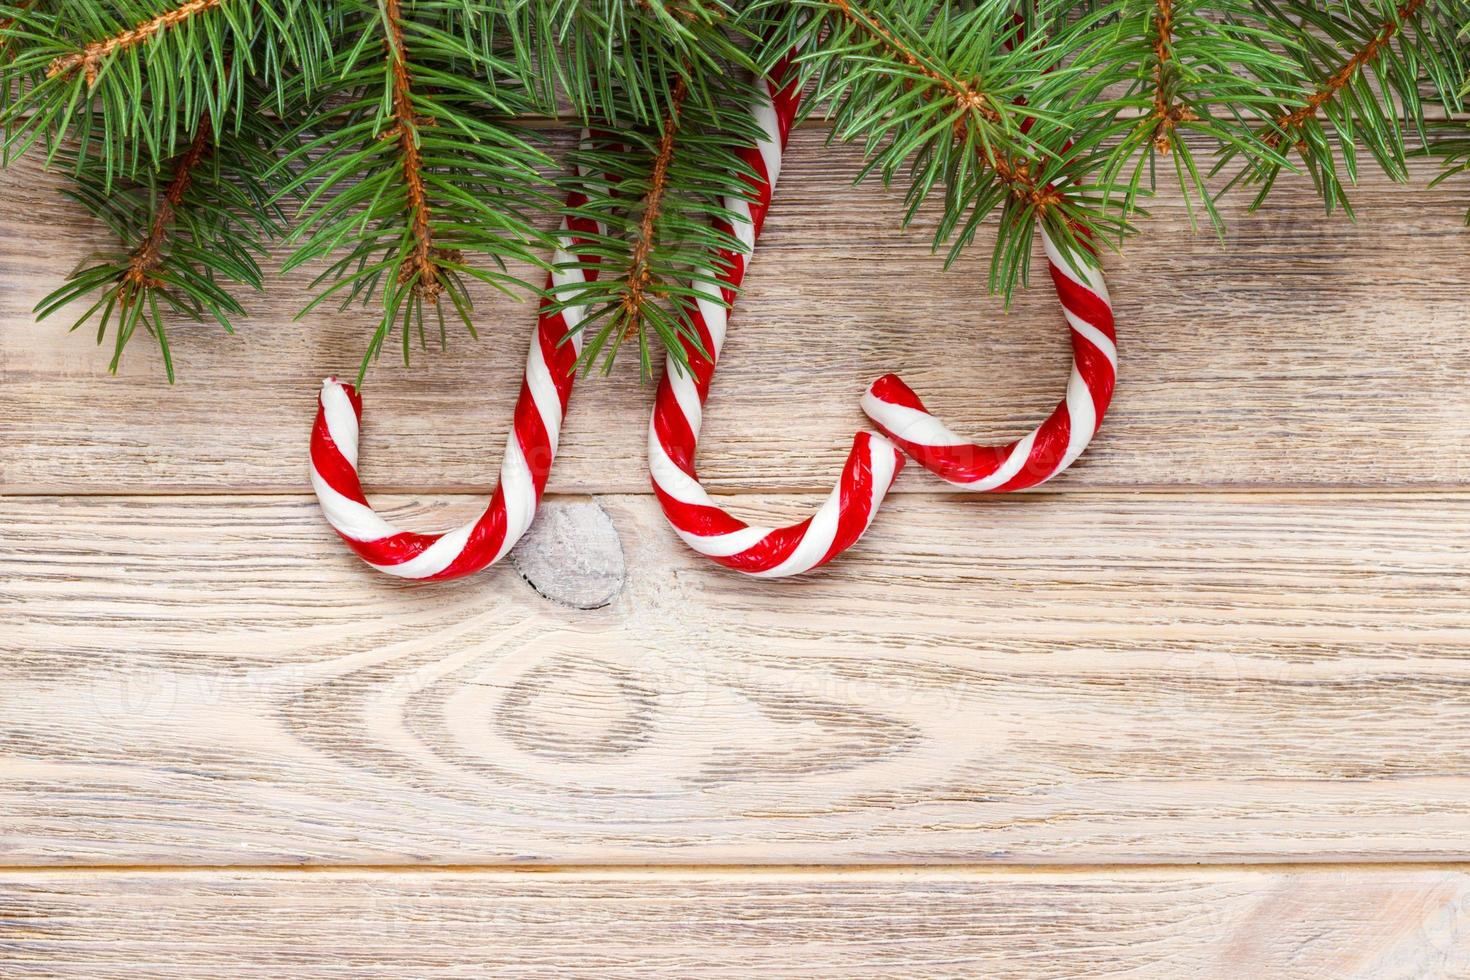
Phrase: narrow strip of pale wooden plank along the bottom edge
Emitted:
{"points": [[1197, 923]]}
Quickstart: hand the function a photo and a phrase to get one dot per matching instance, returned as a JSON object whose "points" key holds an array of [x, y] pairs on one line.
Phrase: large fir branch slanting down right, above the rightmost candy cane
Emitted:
{"points": [[952, 98]]}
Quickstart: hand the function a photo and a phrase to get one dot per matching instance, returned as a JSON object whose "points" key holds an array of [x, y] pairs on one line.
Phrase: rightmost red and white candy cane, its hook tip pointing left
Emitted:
{"points": [[1050, 447]]}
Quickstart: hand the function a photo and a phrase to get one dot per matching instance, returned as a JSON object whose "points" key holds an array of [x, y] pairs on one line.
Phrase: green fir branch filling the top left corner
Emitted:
{"points": [[130, 80]]}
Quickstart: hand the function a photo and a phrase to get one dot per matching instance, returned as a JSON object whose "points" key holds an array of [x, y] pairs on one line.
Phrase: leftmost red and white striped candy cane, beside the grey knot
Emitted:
{"points": [[530, 449]]}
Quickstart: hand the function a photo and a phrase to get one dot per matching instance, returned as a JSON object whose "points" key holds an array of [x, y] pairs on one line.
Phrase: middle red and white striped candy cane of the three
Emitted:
{"points": [[680, 406]]}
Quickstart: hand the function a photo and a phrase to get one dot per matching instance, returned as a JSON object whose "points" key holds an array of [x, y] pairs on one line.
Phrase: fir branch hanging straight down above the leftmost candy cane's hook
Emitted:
{"points": [[411, 168]]}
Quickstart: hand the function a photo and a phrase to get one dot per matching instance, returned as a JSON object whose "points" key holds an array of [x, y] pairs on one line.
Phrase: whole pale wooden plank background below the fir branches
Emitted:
{"points": [[1200, 707]]}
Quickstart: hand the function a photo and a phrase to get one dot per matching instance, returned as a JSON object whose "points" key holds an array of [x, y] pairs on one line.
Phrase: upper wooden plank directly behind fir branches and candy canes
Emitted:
{"points": [[1306, 352]]}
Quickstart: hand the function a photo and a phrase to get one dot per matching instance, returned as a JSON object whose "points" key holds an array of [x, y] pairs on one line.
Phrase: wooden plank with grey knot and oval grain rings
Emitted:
{"points": [[1046, 680]]}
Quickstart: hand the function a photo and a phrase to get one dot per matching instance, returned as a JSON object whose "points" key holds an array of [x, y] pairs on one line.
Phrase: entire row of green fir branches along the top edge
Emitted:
{"points": [[396, 146]]}
